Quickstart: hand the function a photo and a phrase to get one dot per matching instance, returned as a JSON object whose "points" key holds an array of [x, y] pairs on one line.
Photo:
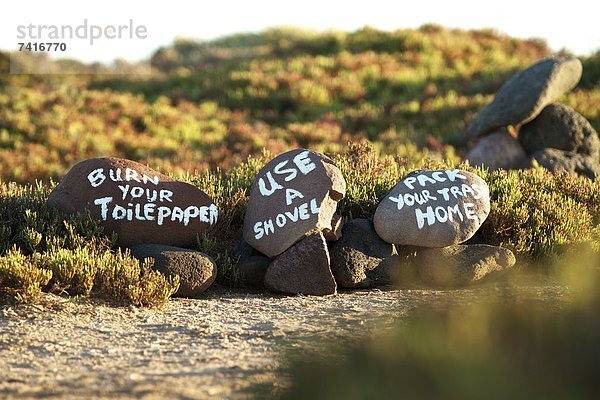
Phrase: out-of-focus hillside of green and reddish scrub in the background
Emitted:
{"points": [[212, 104]]}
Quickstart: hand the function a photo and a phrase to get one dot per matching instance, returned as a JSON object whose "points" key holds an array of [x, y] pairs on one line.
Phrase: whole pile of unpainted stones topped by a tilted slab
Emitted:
{"points": [[553, 135]]}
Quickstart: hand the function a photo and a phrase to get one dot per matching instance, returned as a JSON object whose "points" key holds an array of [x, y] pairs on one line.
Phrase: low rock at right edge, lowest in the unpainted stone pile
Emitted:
{"points": [[564, 161]]}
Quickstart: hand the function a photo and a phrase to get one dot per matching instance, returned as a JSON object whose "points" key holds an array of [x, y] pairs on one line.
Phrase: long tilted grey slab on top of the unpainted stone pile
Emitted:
{"points": [[522, 97]]}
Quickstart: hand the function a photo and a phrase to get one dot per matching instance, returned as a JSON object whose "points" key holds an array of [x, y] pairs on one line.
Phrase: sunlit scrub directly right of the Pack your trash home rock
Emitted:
{"points": [[536, 213]]}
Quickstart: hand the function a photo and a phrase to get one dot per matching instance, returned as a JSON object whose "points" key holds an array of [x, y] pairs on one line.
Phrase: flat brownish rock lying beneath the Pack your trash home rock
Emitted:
{"points": [[462, 265]]}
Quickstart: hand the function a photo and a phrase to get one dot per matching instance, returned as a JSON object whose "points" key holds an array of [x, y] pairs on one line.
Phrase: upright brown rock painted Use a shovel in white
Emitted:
{"points": [[295, 193]]}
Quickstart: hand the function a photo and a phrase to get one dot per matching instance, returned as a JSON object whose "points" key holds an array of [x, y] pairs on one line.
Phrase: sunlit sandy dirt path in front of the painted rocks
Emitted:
{"points": [[225, 345]]}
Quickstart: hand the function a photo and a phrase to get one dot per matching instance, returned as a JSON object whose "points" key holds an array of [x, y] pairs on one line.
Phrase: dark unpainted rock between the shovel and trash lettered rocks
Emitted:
{"points": [[356, 257]]}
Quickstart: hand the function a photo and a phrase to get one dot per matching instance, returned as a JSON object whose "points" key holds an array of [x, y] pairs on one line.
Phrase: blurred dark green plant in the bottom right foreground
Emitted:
{"points": [[499, 347]]}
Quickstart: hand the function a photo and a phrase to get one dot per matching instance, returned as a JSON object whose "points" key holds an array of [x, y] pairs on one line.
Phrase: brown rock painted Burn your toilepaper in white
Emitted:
{"points": [[137, 203]]}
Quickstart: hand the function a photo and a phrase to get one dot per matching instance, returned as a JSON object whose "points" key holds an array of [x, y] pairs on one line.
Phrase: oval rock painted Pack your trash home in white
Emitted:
{"points": [[433, 209]]}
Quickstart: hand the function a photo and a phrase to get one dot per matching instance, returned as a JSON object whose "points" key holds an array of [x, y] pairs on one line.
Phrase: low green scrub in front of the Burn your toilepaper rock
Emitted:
{"points": [[45, 250]]}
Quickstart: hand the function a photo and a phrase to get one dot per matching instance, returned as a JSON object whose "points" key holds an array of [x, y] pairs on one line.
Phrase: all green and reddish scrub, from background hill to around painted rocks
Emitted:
{"points": [[402, 98]]}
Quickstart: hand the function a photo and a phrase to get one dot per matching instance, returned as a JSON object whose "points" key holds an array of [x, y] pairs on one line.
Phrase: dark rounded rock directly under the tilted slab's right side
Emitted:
{"points": [[560, 127]]}
